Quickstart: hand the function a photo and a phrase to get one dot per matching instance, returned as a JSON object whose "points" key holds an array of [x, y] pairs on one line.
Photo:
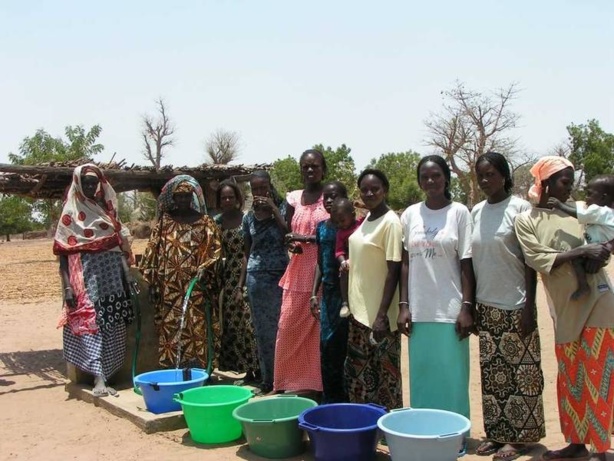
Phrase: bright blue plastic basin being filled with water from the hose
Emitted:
{"points": [[159, 387]]}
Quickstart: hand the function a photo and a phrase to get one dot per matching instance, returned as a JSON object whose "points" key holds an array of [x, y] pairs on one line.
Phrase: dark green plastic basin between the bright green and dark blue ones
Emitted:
{"points": [[270, 425]]}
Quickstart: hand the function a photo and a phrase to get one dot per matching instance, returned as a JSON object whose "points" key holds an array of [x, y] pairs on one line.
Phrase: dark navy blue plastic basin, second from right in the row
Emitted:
{"points": [[343, 431]]}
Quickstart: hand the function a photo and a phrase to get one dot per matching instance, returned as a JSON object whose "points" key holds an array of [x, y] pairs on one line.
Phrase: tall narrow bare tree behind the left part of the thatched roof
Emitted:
{"points": [[157, 135]]}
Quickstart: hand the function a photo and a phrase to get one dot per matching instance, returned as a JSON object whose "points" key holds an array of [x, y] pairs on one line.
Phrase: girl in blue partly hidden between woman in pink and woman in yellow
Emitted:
{"points": [[333, 328]]}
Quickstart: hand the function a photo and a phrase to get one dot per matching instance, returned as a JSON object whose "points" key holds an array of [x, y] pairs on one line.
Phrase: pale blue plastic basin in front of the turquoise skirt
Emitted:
{"points": [[420, 434]]}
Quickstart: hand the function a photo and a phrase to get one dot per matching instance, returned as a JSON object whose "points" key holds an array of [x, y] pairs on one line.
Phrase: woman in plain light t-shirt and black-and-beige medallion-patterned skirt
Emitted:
{"points": [[510, 358]]}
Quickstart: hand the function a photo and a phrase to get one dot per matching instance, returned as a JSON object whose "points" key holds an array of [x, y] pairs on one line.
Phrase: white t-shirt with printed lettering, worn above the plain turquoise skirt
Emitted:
{"points": [[436, 241]]}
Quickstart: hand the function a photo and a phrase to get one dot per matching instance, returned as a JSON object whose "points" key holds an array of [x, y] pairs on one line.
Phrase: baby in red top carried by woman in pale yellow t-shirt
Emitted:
{"points": [[343, 216]]}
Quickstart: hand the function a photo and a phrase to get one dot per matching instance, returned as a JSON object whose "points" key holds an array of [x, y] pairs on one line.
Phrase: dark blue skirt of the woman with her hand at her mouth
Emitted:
{"points": [[265, 295]]}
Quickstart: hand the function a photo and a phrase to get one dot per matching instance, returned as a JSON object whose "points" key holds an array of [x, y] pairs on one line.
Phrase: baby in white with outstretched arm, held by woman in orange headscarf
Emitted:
{"points": [[598, 216]]}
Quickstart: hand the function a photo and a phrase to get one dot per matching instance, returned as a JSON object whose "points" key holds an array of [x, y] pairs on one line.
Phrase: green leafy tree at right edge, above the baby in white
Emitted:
{"points": [[592, 149]]}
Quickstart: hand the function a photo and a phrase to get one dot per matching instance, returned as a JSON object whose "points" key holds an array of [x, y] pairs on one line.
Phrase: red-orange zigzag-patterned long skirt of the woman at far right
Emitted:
{"points": [[585, 387]]}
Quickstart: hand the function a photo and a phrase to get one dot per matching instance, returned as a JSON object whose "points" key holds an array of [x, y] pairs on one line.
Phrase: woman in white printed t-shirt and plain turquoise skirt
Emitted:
{"points": [[437, 292]]}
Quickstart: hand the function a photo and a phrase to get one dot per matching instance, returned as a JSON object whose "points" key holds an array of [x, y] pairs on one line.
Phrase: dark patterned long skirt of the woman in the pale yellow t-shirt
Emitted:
{"points": [[373, 372]]}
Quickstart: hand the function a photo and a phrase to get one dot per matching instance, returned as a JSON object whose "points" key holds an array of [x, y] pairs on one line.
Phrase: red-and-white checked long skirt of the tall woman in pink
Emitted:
{"points": [[297, 349]]}
